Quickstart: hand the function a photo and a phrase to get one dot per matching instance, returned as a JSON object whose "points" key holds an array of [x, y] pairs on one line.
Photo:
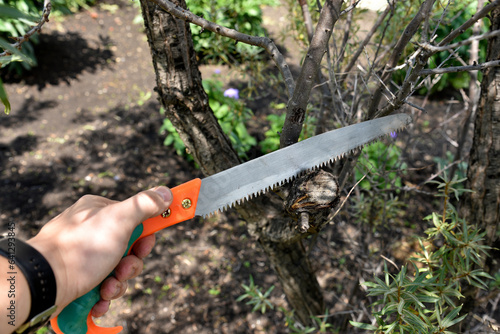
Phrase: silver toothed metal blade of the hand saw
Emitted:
{"points": [[242, 182]]}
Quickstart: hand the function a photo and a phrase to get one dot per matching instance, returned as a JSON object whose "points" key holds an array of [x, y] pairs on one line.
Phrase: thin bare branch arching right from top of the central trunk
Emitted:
{"points": [[263, 42]]}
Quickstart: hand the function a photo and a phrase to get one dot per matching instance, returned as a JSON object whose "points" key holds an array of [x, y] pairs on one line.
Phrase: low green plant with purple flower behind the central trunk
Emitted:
{"points": [[231, 114]]}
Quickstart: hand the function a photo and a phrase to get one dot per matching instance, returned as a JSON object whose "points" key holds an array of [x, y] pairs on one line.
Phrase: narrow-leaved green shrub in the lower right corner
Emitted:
{"points": [[425, 299]]}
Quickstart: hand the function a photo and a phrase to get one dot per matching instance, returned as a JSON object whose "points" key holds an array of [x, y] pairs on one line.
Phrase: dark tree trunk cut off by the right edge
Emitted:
{"points": [[483, 172]]}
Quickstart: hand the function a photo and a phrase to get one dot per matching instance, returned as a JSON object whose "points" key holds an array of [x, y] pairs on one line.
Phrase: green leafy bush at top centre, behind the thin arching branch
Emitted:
{"points": [[242, 15]]}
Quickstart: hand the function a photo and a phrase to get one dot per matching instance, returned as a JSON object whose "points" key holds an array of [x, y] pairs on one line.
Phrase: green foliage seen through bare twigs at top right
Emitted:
{"points": [[457, 13]]}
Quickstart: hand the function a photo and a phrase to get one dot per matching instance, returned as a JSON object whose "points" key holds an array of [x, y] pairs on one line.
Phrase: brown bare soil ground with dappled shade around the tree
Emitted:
{"points": [[83, 122]]}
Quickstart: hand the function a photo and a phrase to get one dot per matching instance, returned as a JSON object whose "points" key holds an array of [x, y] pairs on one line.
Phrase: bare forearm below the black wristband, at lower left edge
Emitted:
{"points": [[15, 299]]}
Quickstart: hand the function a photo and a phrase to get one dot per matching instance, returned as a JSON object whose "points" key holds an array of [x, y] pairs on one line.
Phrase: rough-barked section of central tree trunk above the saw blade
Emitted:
{"points": [[178, 84]]}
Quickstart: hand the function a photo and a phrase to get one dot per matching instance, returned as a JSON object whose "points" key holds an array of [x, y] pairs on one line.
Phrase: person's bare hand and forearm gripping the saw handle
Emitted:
{"points": [[68, 258]]}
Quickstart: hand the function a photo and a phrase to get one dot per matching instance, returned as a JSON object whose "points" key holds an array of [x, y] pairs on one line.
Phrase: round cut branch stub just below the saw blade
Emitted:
{"points": [[311, 198]]}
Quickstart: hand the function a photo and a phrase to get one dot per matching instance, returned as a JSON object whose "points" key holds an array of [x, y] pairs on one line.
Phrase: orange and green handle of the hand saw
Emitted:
{"points": [[76, 317]]}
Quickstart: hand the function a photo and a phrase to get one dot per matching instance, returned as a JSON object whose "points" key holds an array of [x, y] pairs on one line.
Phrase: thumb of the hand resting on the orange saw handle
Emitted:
{"points": [[144, 205]]}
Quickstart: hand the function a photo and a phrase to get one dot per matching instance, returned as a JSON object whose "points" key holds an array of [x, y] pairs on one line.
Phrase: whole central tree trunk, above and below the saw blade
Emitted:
{"points": [[186, 104]]}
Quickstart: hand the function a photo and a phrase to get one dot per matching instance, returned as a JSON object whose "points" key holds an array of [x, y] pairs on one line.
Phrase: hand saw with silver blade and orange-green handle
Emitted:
{"points": [[233, 186]]}
